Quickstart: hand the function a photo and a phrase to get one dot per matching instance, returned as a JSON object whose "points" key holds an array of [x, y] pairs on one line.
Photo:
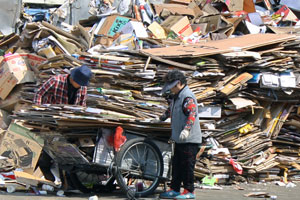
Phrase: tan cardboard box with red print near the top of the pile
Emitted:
{"points": [[178, 24]]}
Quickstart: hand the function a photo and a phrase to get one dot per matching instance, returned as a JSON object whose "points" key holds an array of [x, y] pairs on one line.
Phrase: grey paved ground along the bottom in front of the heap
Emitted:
{"points": [[228, 192]]}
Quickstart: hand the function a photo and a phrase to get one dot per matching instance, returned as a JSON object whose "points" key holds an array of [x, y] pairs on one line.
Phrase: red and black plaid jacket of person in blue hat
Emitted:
{"points": [[55, 91]]}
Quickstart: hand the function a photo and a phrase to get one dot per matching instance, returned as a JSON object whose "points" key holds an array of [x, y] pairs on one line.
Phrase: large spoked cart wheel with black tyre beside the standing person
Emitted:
{"points": [[139, 167]]}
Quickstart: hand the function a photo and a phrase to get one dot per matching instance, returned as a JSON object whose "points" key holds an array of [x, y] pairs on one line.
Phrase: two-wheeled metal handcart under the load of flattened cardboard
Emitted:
{"points": [[141, 164]]}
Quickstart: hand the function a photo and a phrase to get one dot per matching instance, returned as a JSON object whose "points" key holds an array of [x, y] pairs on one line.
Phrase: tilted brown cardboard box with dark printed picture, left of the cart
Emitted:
{"points": [[21, 146]]}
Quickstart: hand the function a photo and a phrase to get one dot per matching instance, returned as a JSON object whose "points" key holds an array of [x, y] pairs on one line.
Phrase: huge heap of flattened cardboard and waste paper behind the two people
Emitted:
{"points": [[247, 86]]}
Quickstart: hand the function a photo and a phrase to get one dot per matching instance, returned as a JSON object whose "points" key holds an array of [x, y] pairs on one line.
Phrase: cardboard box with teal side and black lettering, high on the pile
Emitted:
{"points": [[110, 25]]}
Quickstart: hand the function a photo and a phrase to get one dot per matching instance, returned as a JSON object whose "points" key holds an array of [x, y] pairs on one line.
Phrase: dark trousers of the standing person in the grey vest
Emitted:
{"points": [[183, 165]]}
